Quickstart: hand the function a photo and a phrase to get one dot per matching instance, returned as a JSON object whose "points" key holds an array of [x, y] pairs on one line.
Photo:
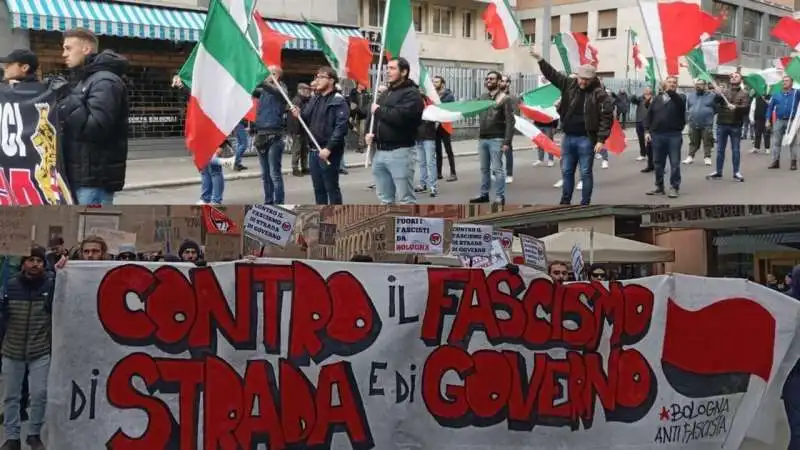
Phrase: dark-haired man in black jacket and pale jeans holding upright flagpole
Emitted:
{"points": [[398, 114]]}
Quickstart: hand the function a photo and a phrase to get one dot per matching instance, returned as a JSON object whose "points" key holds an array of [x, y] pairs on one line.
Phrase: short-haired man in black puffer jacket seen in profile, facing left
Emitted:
{"points": [[94, 120]]}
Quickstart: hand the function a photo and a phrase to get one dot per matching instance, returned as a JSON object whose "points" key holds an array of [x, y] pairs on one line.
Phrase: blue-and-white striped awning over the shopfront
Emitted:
{"points": [[138, 21]]}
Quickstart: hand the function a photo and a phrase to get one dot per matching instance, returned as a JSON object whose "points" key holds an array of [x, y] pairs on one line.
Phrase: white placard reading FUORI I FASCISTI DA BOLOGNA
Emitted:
{"points": [[423, 235]]}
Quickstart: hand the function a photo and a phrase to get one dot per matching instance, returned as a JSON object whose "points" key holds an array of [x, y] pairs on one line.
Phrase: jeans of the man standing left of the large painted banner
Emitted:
{"points": [[13, 377]]}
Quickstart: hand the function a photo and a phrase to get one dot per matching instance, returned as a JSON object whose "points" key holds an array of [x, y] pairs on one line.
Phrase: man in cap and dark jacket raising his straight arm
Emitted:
{"points": [[587, 115]]}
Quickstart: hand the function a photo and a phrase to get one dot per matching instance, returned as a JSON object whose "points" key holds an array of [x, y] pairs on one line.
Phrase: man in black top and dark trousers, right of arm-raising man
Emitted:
{"points": [[664, 125]]}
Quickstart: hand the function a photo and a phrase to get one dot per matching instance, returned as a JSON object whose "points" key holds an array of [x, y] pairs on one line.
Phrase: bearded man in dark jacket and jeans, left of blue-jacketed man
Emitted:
{"points": [[734, 105]]}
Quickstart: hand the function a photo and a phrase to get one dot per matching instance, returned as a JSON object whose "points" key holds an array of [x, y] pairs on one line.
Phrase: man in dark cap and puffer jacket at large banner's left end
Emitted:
{"points": [[25, 313]]}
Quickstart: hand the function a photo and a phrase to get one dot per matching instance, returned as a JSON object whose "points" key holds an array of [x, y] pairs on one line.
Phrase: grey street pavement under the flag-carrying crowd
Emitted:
{"points": [[174, 181]]}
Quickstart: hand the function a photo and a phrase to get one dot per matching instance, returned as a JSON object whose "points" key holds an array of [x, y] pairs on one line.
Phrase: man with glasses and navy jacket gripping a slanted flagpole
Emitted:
{"points": [[327, 115]]}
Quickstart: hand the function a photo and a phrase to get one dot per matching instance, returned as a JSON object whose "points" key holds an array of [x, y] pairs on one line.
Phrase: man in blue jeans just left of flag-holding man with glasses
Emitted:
{"points": [[270, 133]]}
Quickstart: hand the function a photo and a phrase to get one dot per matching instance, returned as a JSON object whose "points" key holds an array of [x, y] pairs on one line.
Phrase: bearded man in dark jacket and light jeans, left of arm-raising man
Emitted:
{"points": [[494, 139]]}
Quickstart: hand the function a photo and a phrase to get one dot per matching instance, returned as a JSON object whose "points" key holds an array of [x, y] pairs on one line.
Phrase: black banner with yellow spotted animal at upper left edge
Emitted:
{"points": [[29, 171]]}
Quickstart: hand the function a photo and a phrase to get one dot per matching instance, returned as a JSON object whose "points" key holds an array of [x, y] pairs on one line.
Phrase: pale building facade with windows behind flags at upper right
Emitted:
{"points": [[608, 24]]}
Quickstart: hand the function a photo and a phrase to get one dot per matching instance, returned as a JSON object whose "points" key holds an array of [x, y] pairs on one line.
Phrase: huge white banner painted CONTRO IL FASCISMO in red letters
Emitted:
{"points": [[317, 354]]}
